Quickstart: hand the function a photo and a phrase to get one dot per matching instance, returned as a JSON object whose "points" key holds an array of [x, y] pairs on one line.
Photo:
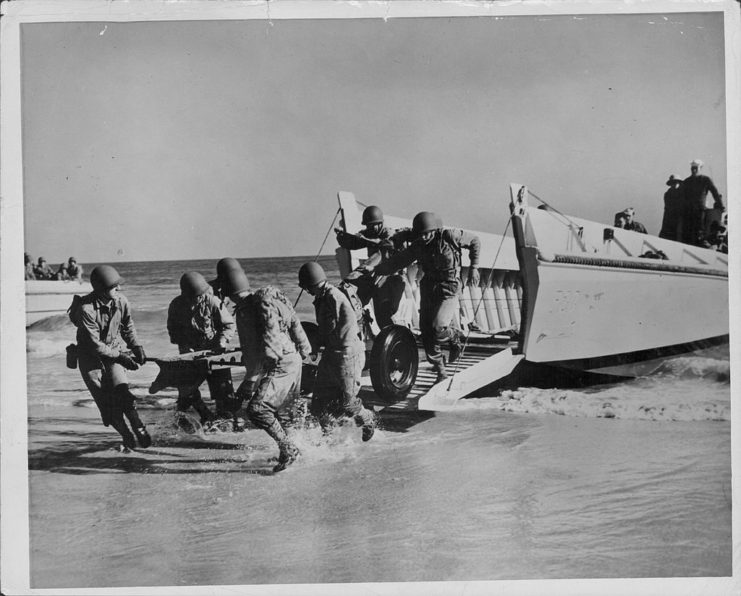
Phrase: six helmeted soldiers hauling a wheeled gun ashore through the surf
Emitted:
{"points": [[271, 338]]}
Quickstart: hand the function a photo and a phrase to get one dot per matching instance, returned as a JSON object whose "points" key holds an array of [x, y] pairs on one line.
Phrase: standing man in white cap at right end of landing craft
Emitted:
{"points": [[698, 205]]}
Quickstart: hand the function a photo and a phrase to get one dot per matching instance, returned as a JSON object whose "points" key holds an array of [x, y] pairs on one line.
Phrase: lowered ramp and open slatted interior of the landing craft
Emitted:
{"points": [[490, 314]]}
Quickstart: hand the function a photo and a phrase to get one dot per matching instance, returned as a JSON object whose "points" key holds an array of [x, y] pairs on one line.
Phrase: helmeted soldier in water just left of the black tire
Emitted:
{"points": [[338, 377]]}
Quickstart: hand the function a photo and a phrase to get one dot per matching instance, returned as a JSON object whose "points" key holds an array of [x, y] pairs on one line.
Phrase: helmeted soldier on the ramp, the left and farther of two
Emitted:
{"points": [[381, 242]]}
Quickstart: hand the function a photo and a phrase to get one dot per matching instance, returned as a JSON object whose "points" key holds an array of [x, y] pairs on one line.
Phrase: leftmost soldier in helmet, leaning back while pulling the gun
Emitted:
{"points": [[104, 328]]}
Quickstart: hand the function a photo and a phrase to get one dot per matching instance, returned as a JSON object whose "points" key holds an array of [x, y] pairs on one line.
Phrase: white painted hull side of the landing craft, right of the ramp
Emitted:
{"points": [[592, 303]]}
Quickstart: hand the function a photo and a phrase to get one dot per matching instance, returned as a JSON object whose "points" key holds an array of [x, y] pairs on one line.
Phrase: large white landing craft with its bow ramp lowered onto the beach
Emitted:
{"points": [[565, 299]]}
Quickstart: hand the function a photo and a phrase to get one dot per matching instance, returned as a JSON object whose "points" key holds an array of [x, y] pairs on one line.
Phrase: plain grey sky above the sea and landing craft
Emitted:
{"points": [[204, 139]]}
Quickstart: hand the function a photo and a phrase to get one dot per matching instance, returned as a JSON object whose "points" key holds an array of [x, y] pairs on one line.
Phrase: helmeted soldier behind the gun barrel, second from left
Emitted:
{"points": [[197, 320]]}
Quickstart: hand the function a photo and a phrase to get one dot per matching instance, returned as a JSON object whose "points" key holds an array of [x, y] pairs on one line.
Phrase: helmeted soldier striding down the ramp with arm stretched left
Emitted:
{"points": [[437, 251]]}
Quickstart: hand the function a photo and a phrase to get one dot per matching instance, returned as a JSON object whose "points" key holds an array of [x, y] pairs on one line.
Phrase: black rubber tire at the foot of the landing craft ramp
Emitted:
{"points": [[394, 363]]}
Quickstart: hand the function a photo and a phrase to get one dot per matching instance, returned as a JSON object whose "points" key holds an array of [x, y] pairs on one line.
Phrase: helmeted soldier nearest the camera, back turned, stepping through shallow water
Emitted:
{"points": [[273, 346]]}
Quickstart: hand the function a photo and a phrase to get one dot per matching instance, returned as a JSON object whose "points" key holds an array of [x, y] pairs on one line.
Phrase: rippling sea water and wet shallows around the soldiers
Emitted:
{"points": [[624, 480]]}
